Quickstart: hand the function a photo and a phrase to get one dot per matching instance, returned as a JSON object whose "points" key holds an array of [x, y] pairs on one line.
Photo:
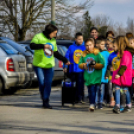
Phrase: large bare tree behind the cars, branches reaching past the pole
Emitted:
{"points": [[21, 16]]}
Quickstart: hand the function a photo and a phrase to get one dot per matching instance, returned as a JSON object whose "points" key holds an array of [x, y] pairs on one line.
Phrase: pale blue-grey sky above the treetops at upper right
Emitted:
{"points": [[118, 10]]}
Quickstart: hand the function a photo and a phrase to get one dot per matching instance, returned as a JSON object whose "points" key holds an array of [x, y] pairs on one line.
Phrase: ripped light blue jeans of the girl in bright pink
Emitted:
{"points": [[117, 95]]}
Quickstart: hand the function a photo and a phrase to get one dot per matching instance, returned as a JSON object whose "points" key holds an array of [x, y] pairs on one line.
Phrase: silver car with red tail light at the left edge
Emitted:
{"points": [[13, 71]]}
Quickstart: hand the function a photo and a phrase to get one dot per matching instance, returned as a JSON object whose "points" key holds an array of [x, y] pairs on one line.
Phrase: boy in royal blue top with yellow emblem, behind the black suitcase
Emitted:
{"points": [[73, 54]]}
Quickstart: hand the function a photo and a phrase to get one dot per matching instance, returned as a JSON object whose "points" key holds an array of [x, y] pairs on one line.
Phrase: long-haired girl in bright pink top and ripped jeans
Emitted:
{"points": [[122, 72]]}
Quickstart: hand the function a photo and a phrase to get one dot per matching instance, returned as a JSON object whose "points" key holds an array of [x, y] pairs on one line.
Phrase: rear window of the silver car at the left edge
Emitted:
{"points": [[8, 49]]}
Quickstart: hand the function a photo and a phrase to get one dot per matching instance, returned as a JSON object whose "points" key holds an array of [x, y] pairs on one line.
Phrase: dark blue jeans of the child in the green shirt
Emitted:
{"points": [[92, 93]]}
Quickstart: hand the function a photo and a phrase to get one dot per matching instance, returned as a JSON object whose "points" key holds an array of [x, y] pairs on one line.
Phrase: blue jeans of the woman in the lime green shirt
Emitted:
{"points": [[45, 77]]}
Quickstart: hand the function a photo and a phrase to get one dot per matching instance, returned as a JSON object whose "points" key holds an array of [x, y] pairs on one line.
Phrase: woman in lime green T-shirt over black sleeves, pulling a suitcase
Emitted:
{"points": [[45, 48]]}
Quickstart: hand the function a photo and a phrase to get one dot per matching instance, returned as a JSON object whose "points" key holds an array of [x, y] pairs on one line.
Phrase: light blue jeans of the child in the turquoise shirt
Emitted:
{"points": [[100, 94]]}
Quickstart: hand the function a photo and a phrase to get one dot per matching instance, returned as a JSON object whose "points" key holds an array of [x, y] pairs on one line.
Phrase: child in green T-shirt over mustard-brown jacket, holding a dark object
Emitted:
{"points": [[92, 62]]}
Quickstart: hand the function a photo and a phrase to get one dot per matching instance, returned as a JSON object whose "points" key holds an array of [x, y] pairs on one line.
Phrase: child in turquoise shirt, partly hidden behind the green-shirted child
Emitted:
{"points": [[100, 93]]}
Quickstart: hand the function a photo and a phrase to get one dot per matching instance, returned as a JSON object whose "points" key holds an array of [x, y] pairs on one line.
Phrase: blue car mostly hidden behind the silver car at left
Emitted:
{"points": [[27, 55]]}
